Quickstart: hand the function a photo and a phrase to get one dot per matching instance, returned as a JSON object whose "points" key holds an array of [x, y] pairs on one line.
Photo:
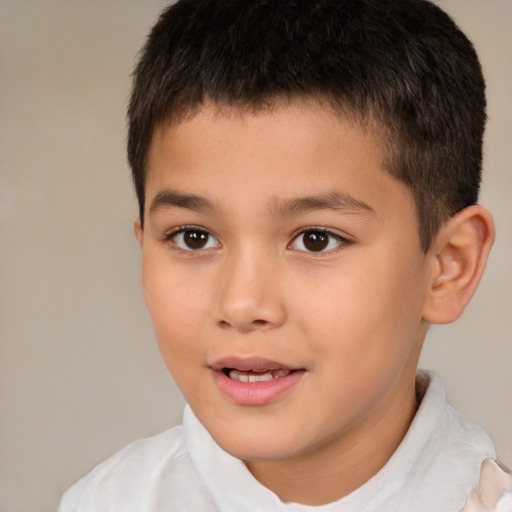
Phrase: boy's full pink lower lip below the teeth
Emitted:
{"points": [[256, 393]]}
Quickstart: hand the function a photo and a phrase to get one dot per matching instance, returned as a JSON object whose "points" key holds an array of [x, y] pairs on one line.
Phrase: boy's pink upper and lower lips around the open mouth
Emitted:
{"points": [[254, 393]]}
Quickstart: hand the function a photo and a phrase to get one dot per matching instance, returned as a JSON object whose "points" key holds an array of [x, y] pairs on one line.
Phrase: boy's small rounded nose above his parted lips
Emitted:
{"points": [[250, 294]]}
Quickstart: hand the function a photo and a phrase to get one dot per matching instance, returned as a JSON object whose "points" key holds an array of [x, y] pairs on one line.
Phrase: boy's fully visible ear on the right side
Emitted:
{"points": [[459, 254]]}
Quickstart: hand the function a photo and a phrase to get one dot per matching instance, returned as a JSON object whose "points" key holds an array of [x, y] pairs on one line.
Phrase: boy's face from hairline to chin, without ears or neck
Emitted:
{"points": [[277, 250]]}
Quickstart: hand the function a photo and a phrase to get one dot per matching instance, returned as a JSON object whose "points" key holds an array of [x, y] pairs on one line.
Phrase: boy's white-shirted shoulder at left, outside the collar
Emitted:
{"points": [[136, 478]]}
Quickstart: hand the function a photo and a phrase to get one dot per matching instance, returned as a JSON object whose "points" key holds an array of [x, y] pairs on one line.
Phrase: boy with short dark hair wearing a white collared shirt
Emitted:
{"points": [[307, 175]]}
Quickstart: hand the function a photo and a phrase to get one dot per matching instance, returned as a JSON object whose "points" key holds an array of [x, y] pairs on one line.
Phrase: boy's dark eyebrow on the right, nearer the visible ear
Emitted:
{"points": [[337, 201]]}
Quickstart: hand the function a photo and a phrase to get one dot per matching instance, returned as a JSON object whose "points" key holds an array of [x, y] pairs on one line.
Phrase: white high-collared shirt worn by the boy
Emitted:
{"points": [[434, 469]]}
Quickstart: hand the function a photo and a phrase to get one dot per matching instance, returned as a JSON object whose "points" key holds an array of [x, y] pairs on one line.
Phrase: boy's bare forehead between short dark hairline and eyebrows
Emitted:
{"points": [[283, 152]]}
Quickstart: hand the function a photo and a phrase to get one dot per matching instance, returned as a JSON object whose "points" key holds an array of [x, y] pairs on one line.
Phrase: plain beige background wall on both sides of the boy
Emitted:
{"points": [[80, 375]]}
